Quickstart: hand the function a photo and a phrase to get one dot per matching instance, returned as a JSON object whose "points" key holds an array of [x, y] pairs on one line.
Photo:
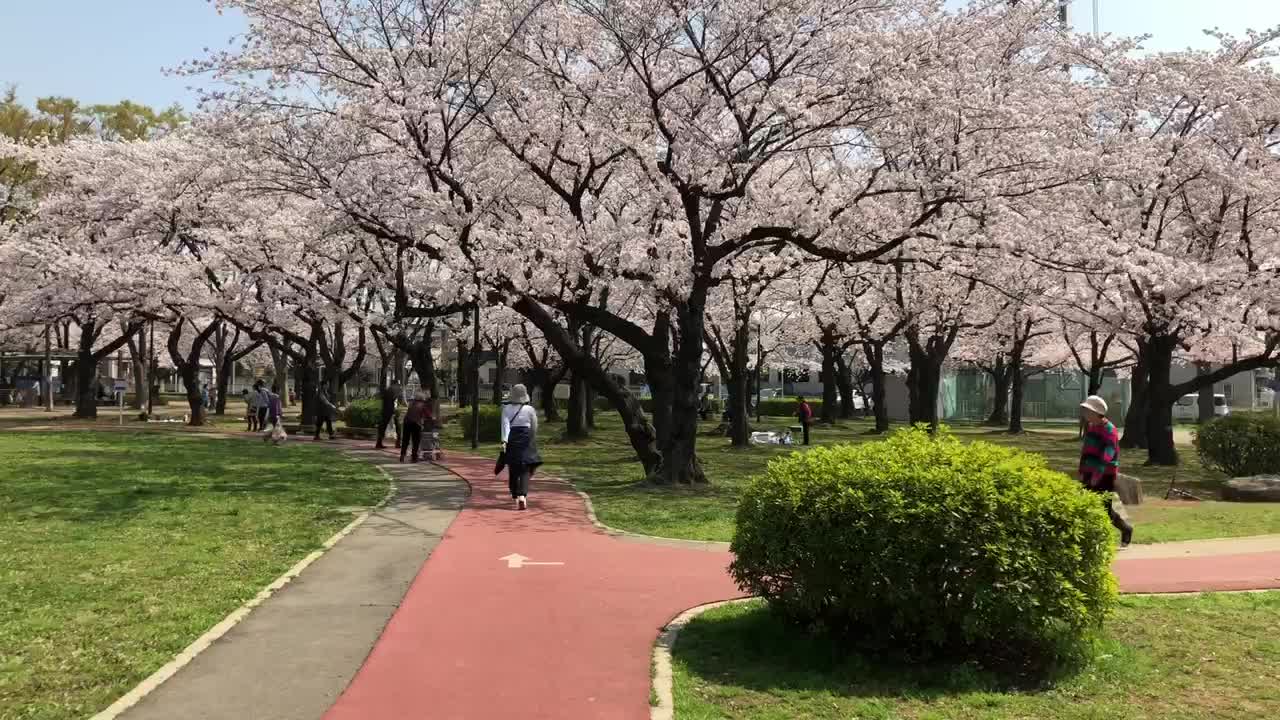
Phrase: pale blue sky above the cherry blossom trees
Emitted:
{"points": [[108, 51]]}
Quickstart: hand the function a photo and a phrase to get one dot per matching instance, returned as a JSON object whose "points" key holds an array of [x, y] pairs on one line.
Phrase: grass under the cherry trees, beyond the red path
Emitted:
{"points": [[605, 468]]}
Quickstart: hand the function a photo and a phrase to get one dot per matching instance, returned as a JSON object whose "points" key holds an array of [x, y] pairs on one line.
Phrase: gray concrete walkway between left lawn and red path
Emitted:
{"points": [[291, 658]]}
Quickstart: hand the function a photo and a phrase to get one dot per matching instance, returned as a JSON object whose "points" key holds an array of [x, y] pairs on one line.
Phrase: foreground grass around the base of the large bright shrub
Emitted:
{"points": [[1162, 659]]}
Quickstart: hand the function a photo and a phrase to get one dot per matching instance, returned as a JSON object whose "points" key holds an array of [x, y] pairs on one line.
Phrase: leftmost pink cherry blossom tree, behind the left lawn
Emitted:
{"points": [[104, 248]]}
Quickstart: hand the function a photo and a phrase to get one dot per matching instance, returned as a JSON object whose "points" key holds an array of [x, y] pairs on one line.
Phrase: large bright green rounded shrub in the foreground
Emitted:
{"points": [[926, 546]]}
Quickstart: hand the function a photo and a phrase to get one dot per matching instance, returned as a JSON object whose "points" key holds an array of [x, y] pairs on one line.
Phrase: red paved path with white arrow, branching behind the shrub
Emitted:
{"points": [[477, 640]]}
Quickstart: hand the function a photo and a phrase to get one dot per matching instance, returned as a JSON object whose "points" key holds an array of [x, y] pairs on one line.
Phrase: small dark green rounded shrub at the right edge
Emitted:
{"points": [[1241, 445]]}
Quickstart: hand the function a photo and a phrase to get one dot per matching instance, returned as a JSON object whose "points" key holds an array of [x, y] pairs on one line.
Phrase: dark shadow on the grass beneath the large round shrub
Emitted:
{"points": [[747, 646]]}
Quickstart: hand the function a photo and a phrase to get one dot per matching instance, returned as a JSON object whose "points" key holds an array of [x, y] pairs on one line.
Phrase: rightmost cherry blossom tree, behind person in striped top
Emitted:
{"points": [[1183, 213]]}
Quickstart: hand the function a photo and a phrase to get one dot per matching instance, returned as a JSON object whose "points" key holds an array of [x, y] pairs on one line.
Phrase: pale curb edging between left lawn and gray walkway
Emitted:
{"points": [[154, 681]]}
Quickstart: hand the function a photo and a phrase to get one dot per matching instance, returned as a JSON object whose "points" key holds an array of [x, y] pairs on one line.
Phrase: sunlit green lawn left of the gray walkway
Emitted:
{"points": [[118, 549]]}
